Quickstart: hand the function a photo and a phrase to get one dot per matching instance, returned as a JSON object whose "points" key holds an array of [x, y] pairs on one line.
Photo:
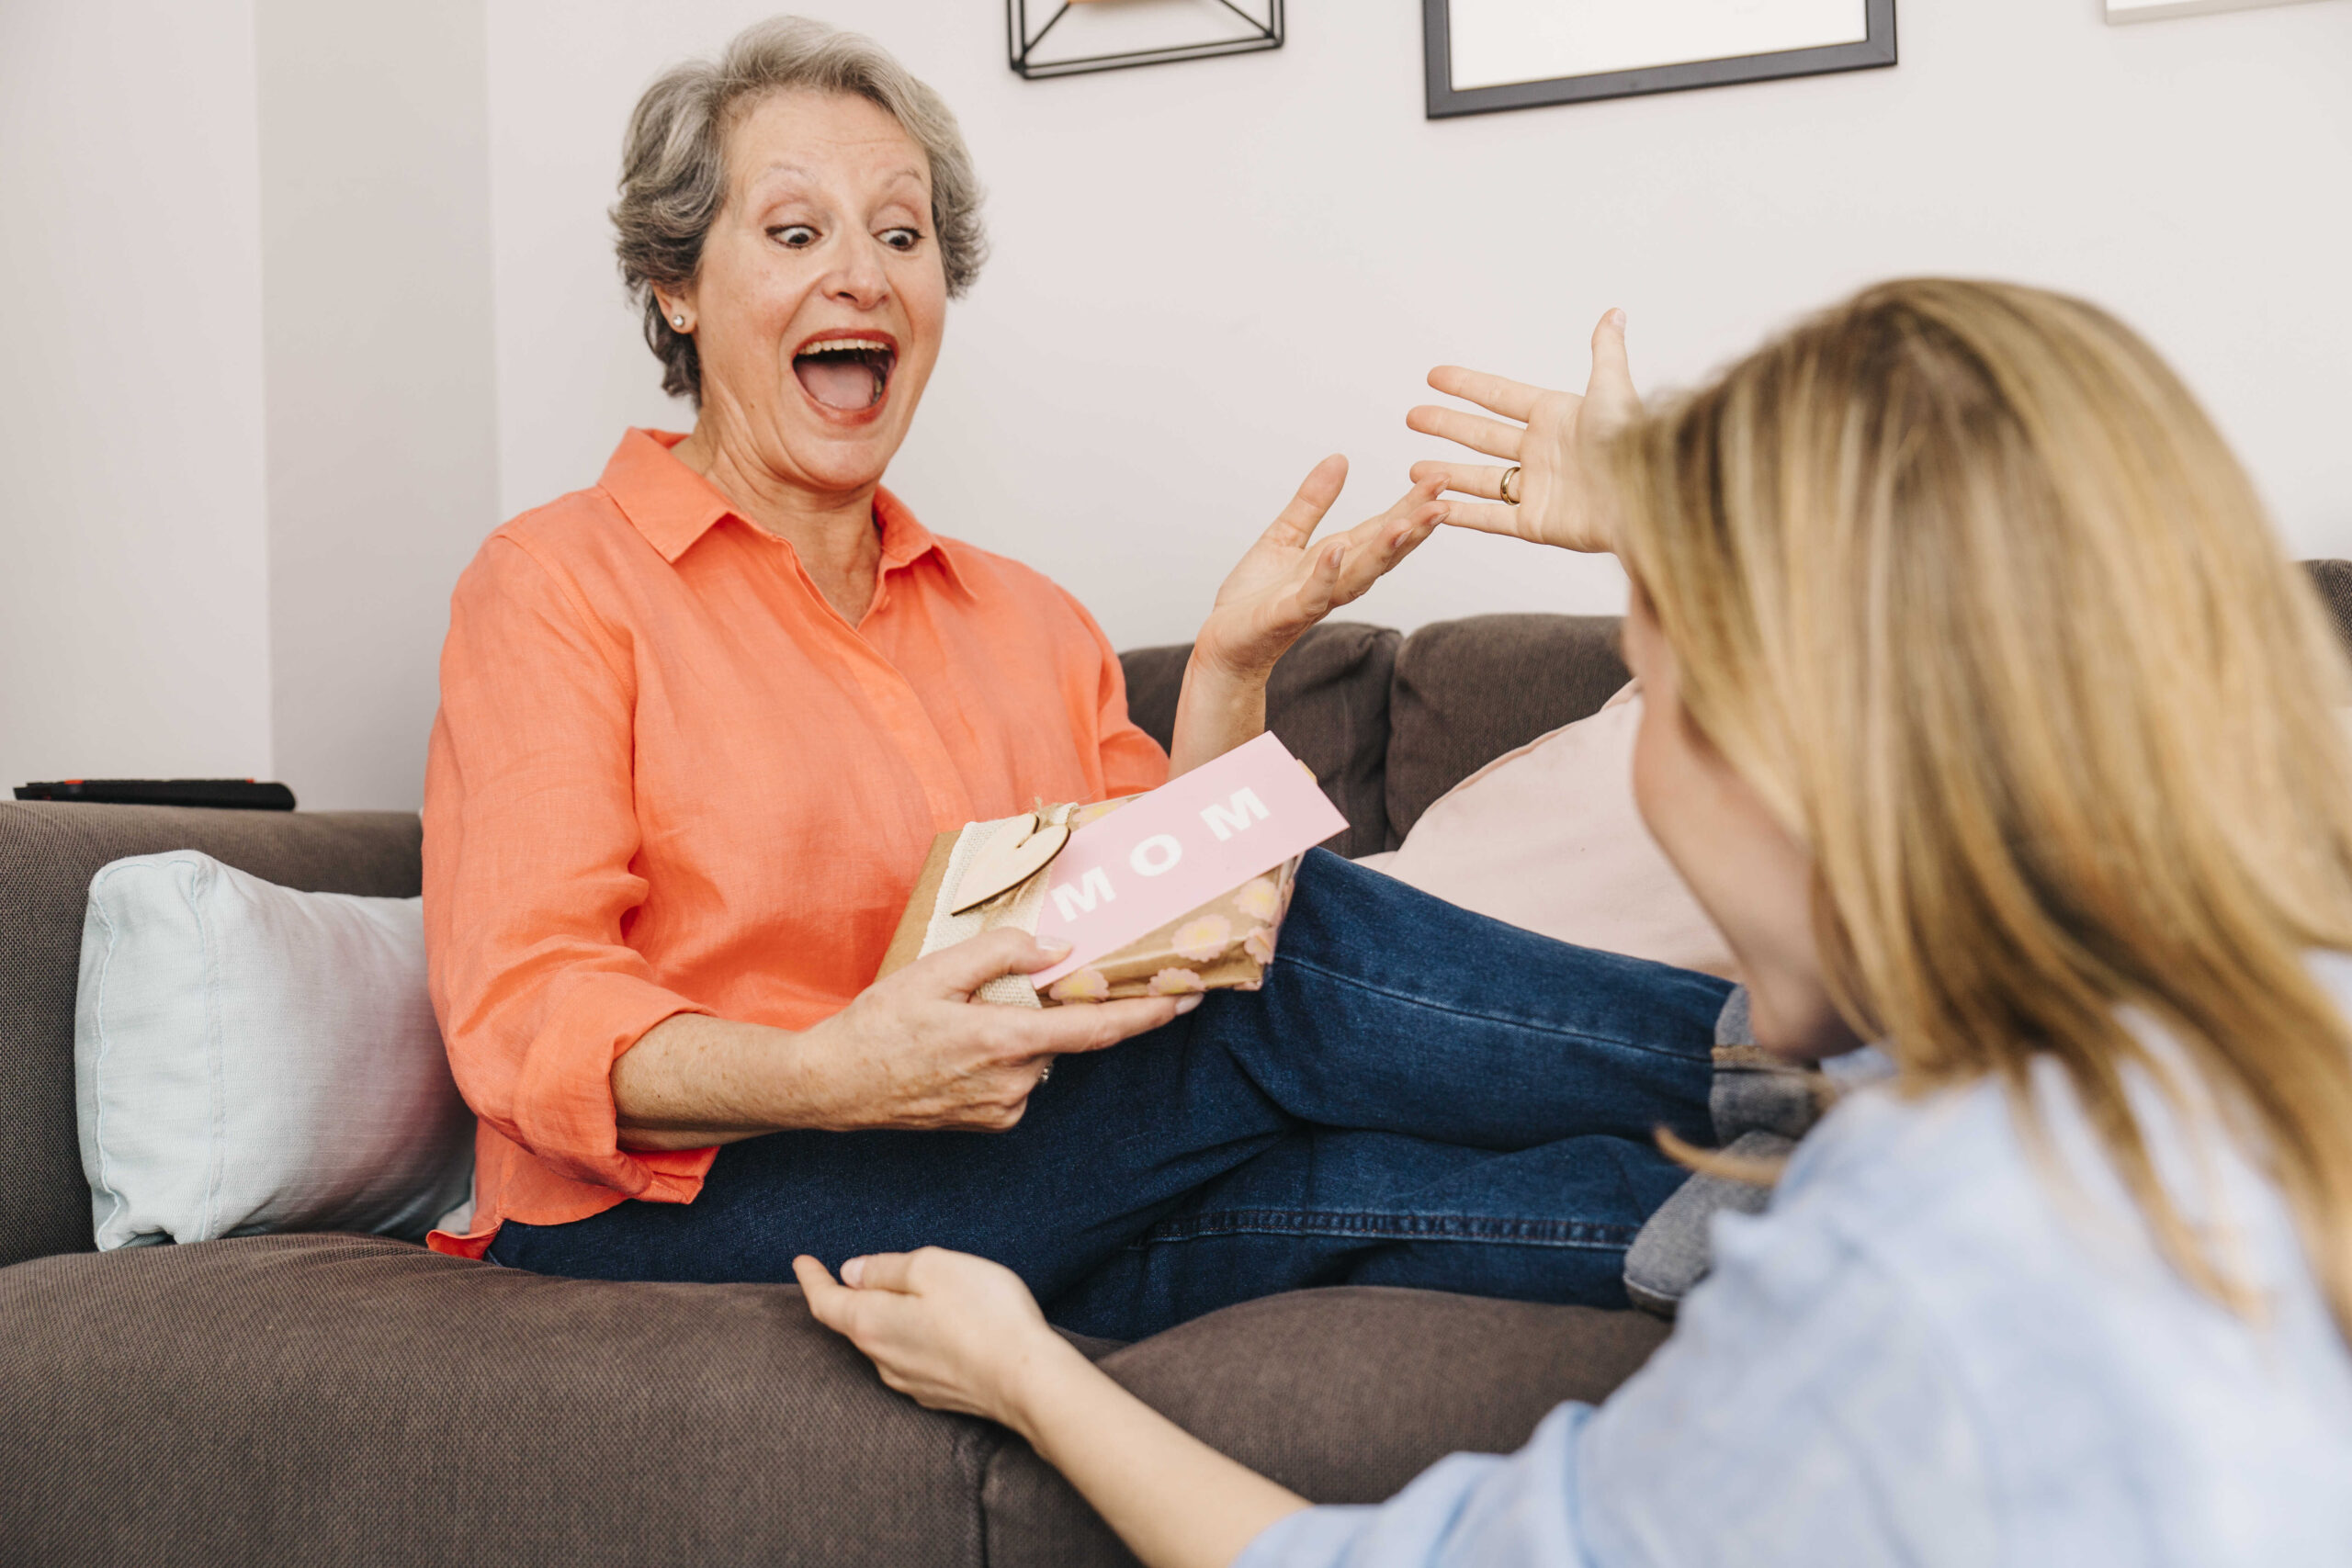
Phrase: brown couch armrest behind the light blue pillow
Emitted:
{"points": [[48, 857]]}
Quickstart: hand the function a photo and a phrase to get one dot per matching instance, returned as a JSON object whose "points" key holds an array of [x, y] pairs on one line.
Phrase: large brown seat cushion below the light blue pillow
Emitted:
{"points": [[342, 1400]]}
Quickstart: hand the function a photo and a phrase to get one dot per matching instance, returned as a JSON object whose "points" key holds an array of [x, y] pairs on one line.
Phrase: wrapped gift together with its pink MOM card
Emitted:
{"points": [[1158, 894]]}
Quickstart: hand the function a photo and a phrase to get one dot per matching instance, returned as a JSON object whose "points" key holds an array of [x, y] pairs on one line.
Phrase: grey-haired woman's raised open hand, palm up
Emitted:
{"points": [[1283, 587]]}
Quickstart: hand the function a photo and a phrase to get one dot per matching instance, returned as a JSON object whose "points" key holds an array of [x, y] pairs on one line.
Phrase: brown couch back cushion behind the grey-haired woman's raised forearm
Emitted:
{"points": [[1328, 702]]}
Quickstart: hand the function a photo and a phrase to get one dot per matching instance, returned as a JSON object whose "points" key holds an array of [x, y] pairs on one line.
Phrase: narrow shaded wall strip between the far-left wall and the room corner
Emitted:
{"points": [[382, 445]]}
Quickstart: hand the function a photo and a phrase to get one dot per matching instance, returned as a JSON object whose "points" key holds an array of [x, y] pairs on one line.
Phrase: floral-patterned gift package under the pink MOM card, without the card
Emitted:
{"points": [[1224, 944]]}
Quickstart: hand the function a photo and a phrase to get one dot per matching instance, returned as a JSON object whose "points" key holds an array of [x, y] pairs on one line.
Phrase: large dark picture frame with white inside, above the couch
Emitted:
{"points": [[1584, 51]]}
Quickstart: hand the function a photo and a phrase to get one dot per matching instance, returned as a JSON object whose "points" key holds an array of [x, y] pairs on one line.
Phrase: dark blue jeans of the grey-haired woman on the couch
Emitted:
{"points": [[1419, 1097]]}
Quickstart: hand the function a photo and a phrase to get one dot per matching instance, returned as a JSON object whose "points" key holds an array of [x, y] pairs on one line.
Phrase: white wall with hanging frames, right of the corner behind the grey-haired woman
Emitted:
{"points": [[1212, 274]]}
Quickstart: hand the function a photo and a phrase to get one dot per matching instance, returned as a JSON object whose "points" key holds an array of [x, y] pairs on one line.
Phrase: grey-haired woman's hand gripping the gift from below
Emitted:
{"points": [[918, 1052]]}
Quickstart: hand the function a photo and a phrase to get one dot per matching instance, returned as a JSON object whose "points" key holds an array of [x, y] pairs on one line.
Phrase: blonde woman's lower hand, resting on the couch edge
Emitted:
{"points": [[947, 1329]]}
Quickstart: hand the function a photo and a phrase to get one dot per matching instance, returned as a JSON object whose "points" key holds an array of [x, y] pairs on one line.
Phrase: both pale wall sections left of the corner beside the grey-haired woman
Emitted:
{"points": [[246, 406]]}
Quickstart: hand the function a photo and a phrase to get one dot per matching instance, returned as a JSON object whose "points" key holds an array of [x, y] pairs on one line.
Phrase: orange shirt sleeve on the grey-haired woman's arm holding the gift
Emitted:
{"points": [[530, 838]]}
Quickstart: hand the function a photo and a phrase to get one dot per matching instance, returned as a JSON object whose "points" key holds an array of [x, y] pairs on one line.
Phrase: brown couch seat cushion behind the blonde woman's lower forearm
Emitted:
{"points": [[1342, 1395]]}
